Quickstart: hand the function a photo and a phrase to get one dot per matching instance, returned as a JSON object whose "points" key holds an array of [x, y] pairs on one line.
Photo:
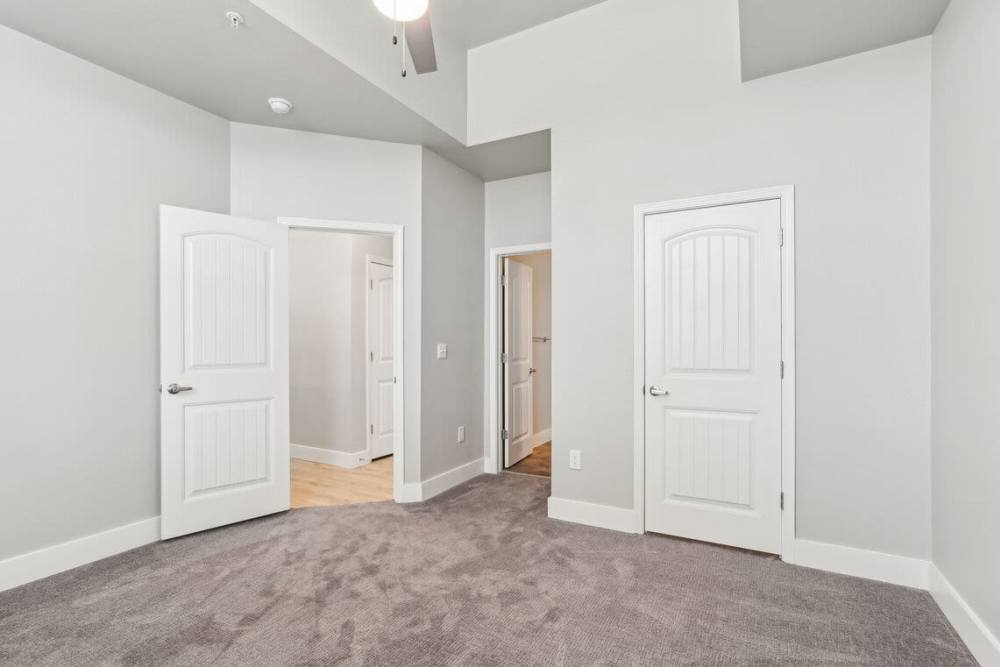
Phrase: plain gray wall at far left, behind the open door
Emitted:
{"points": [[86, 158]]}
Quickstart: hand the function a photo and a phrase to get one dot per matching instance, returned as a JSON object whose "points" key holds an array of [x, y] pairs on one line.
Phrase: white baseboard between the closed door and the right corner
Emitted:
{"points": [[900, 570]]}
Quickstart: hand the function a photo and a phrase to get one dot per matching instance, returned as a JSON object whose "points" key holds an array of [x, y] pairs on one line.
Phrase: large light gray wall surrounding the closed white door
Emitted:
{"points": [[658, 112]]}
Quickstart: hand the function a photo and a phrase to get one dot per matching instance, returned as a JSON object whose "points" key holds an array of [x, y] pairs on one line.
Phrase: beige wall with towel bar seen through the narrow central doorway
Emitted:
{"points": [[541, 402]]}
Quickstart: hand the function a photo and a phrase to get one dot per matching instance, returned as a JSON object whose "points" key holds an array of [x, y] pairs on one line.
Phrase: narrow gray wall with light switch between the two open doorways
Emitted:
{"points": [[454, 283]]}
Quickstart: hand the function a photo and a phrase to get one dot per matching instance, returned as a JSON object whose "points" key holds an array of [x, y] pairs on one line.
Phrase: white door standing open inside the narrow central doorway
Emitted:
{"points": [[517, 349]]}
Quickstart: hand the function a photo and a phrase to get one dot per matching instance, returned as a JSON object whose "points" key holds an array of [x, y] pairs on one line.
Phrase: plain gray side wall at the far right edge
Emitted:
{"points": [[965, 306]]}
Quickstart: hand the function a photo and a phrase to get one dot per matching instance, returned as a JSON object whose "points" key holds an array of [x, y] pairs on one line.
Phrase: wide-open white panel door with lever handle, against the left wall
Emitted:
{"points": [[223, 369]]}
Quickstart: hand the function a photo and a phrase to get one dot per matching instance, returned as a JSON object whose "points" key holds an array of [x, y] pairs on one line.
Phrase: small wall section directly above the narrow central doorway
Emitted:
{"points": [[519, 210]]}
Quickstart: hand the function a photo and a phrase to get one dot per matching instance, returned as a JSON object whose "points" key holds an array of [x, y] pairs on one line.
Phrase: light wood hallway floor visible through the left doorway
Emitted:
{"points": [[320, 485]]}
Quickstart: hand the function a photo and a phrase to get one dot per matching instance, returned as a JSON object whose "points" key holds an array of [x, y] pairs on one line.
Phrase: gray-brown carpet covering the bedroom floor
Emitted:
{"points": [[478, 576]]}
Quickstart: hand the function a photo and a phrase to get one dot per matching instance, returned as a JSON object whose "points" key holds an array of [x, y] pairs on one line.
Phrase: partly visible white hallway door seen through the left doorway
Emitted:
{"points": [[381, 380]]}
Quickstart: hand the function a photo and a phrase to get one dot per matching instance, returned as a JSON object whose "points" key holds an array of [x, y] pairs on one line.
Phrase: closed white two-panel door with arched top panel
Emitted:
{"points": [[713, 353]]}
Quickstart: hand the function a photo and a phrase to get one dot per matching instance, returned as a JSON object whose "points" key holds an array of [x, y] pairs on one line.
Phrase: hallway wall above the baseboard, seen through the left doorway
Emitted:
{"points": [[327, 344]]}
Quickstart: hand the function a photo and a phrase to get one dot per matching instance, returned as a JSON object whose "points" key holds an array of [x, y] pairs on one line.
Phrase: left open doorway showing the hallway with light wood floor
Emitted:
{"points": [[341, 367]]}
